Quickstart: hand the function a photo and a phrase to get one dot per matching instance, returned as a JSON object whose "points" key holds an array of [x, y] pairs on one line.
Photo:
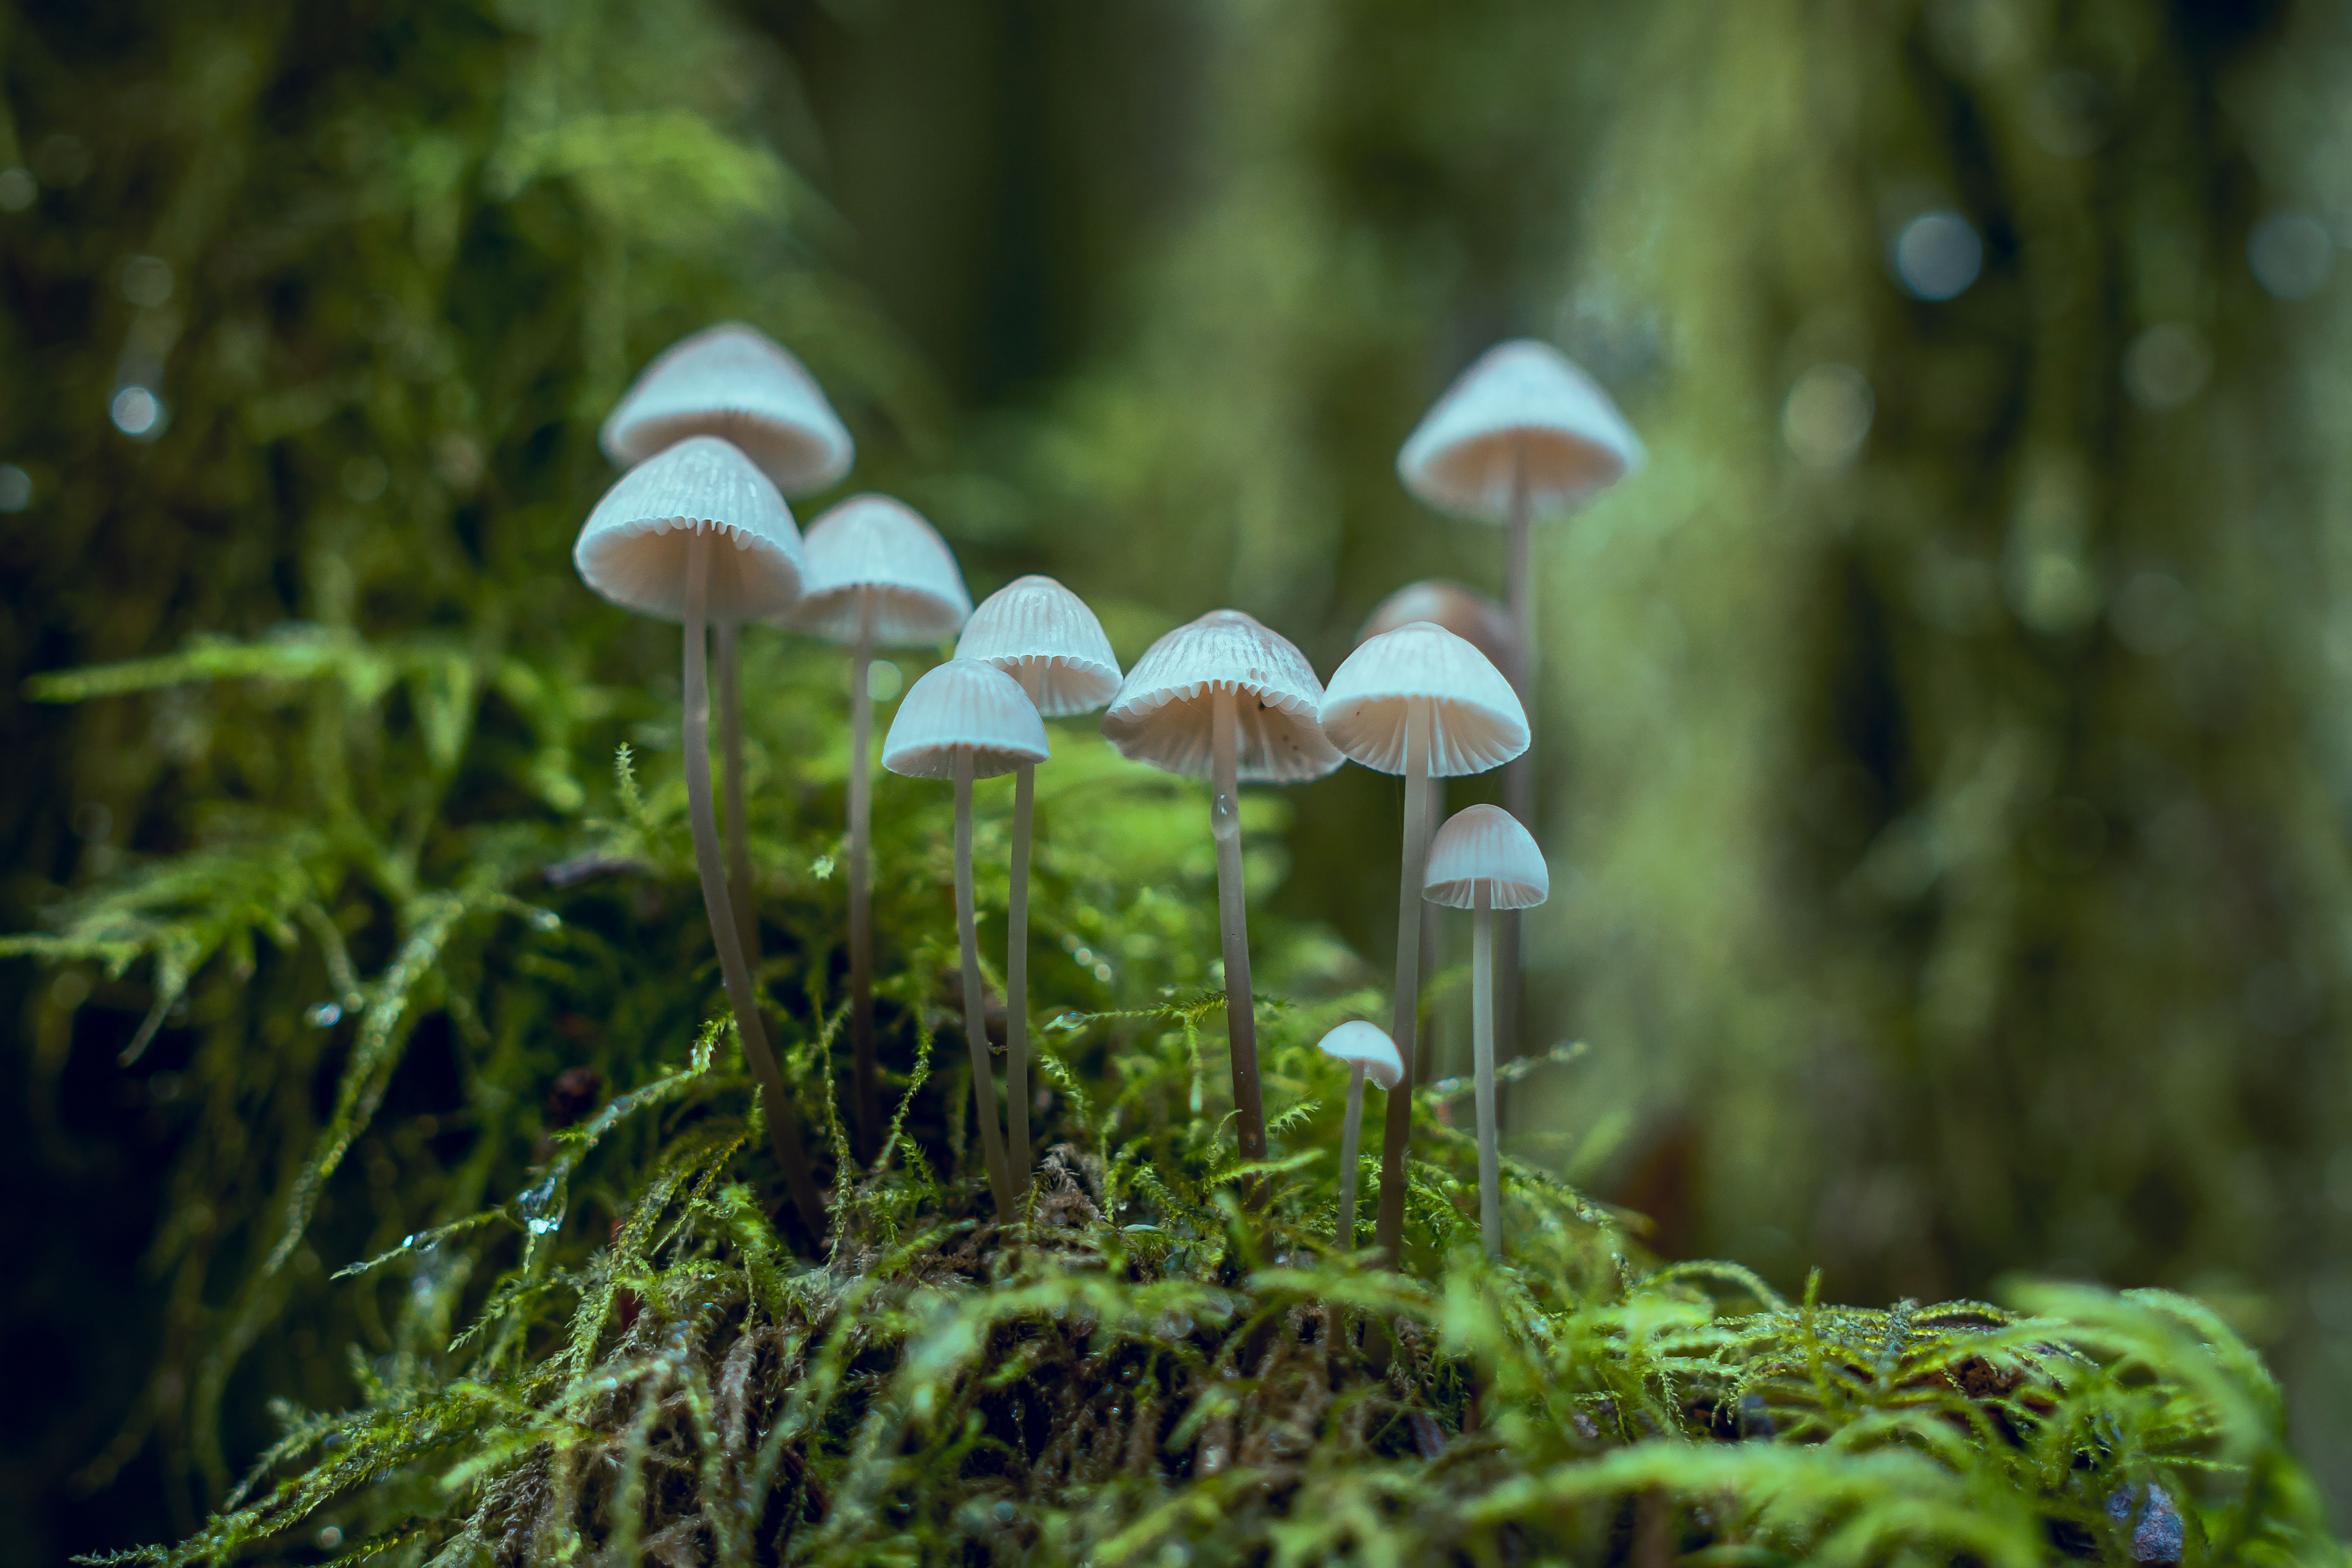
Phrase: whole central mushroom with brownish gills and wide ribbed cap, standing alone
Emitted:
{"points": [[1231, 702]]}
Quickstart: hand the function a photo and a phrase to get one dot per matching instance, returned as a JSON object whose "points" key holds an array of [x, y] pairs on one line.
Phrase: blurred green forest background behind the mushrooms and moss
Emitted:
{"points": [[1946, 772]]}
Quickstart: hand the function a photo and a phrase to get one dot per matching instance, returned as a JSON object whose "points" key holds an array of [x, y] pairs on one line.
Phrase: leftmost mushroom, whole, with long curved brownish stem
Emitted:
{"points": [[653, 547]]}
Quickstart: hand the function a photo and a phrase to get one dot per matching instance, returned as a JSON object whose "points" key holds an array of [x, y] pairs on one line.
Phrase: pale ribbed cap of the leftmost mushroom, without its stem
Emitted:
{"points": [[634, 547]]}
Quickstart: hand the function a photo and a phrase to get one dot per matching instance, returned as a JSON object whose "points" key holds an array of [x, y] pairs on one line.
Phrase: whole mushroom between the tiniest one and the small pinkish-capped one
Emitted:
{"points": [[1417, 702]]}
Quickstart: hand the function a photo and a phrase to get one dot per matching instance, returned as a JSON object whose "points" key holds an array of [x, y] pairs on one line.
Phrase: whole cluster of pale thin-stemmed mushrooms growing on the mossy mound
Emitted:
{"points": [[726, 424]]}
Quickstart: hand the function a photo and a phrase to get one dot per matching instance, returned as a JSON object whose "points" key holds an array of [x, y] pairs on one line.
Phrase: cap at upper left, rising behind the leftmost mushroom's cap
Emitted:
{"points": [[742, 384]]}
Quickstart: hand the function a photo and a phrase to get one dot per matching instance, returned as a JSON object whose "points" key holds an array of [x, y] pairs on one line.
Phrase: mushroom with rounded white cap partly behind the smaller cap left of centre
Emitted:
{"points": [[1045, 638]]}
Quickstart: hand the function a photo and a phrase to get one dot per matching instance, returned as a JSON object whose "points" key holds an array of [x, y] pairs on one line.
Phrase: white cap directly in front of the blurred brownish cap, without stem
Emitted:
{"points": [[1476, 718]]}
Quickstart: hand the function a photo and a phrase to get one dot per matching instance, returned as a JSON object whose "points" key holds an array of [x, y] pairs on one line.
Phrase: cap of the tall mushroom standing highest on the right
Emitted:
{"points": [[1523, 406]]}
